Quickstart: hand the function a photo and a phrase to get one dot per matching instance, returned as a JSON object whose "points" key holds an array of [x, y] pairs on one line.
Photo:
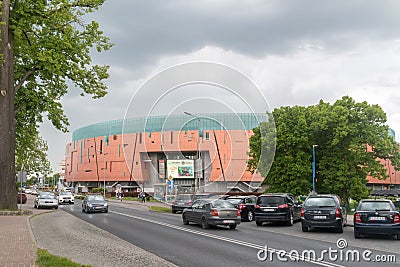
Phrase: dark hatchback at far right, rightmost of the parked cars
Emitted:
{"points": [[376, 217]]}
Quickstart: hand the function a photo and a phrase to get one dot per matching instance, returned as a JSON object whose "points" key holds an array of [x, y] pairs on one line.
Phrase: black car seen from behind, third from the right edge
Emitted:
{"points": [[282, 207]]}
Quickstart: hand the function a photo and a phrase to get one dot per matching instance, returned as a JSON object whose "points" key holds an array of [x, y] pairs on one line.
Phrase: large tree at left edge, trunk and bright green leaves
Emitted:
{"points": [[45, 47]]}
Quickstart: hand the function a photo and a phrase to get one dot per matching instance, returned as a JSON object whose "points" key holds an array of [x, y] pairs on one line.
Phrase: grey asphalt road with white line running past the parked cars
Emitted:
{"points": [[249, 245]]}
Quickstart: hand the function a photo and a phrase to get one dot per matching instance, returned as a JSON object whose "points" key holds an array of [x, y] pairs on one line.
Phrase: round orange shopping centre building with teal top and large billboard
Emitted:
{"points": [[161, 154]]}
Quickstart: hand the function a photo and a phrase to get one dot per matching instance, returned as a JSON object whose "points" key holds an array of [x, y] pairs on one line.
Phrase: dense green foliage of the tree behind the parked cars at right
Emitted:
{"points": [[343, 132]]}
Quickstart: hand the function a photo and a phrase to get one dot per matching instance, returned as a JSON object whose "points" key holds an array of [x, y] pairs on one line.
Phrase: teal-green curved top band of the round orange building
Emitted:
{"points": [[162, 123]]}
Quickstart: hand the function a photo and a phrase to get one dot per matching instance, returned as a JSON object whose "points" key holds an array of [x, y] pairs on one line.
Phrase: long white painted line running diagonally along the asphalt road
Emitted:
{"points": [[227, 239]]}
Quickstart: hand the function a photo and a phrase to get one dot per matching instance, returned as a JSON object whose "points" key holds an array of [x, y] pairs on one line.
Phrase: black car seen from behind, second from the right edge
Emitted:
{"points": [[323, 211]]}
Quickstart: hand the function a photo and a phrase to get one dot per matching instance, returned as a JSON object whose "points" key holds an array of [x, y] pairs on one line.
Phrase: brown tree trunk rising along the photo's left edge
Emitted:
{"points": [[8, 189]]}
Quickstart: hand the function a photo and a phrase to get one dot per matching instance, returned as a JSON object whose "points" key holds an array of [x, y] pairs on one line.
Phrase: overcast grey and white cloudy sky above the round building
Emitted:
{"points": [[296, 52]]}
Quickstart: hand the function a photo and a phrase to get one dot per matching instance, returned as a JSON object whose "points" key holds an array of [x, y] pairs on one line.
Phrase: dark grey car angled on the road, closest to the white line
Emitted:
{"points": [[212, 212]]}
